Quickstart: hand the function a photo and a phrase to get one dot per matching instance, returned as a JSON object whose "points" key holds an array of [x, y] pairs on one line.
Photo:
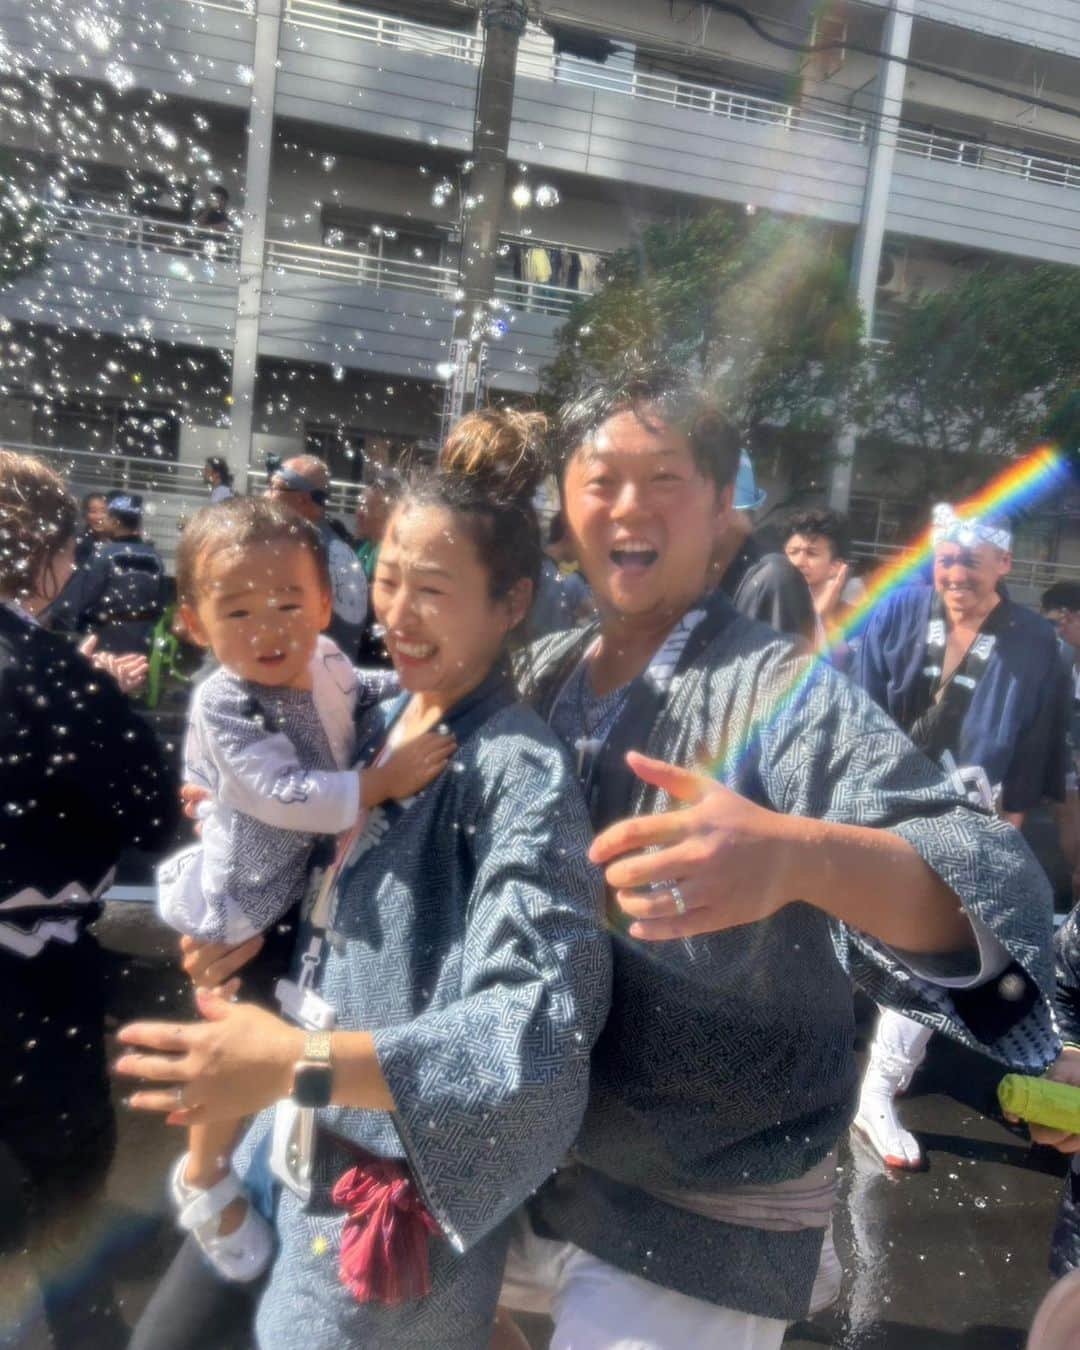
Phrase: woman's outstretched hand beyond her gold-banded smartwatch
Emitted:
{"points": [[236, 1063]]}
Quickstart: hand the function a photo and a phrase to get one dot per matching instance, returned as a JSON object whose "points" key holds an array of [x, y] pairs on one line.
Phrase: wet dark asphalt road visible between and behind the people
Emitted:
{"points": [[950, 1259]]}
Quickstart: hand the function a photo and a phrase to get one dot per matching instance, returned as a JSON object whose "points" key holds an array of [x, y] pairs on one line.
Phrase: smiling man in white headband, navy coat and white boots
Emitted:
{"points": [[977, 684]]}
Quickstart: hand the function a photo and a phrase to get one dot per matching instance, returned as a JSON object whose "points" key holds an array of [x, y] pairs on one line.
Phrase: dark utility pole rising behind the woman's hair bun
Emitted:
{"points": [[503, 22]]}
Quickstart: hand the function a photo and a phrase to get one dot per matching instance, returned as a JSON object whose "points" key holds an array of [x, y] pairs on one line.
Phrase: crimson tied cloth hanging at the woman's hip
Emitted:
{"points": [[385, 1240]]}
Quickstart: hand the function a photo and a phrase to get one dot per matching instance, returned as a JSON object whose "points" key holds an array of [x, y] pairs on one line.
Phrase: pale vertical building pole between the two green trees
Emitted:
{"points": [[867, 261]]}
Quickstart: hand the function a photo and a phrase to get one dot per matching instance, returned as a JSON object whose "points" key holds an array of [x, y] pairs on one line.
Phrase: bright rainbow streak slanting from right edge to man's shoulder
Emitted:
{"points": [[1017, 488]]}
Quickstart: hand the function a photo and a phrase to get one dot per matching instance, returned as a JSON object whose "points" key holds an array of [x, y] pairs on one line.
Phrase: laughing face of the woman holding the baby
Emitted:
{"points": [[433, 596]]}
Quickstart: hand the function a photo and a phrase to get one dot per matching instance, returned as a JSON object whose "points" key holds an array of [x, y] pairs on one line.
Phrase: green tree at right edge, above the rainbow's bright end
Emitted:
{"points": [[973, 375]]}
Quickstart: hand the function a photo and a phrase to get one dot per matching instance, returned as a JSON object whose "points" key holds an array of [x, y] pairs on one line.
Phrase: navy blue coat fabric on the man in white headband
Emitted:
{"points": [[1016, 724]]}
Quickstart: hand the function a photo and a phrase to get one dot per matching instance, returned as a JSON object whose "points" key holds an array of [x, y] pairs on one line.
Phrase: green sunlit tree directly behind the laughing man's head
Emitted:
{"points": [[759, 307]]}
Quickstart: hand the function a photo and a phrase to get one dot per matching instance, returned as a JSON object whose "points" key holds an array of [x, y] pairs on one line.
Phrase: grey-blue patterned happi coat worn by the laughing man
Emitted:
{"points": [[728, 1059]]}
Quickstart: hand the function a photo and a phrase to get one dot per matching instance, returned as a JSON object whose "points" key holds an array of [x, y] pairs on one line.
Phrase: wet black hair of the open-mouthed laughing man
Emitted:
{"points": [[665, 392]]}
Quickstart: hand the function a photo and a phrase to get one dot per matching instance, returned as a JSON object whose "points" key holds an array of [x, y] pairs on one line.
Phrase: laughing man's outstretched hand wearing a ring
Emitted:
{"points": [[728, 858]]}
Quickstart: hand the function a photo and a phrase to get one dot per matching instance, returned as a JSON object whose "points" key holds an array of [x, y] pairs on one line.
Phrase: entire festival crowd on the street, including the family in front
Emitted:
{"points": [[534, 867]]}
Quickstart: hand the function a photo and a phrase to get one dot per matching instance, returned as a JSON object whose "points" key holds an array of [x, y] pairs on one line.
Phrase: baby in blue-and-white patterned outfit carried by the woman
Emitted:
{"points": [[271, 738]]}
